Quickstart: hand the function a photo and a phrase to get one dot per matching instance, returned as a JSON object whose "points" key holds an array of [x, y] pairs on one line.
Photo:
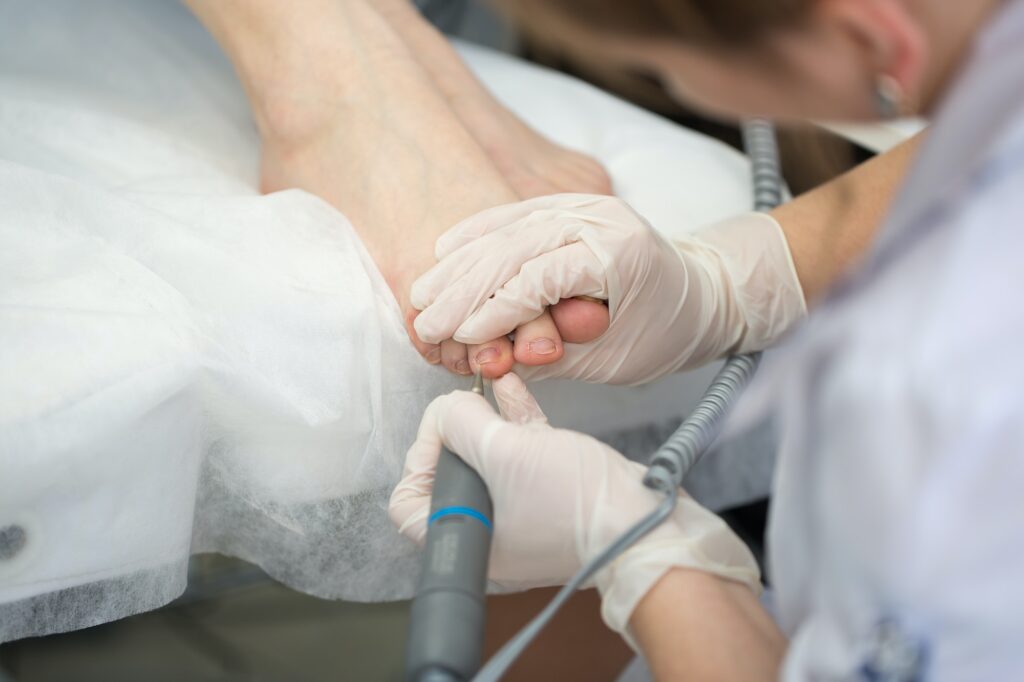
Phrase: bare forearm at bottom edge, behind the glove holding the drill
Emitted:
{"points": [[696, 626]]}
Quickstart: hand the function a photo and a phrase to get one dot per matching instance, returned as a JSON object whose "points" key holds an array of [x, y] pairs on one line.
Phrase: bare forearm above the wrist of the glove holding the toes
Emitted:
{"points": [[831, 228]]}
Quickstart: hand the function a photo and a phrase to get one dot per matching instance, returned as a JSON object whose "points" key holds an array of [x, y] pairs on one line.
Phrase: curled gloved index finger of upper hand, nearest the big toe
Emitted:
{"points": [[542, 282]]}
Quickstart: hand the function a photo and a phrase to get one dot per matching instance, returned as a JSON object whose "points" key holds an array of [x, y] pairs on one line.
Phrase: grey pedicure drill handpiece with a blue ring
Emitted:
{"points": [[447, 626]]}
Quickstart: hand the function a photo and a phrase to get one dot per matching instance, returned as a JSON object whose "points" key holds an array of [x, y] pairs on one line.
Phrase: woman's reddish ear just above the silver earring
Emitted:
{"points": [[890, 35]]}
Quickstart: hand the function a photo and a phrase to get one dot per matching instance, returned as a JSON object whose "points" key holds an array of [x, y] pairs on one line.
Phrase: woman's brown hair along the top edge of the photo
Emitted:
{"points": [[701, 22]]}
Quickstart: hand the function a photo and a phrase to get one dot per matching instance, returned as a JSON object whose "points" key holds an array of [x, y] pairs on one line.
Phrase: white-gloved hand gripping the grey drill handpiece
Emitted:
{"points": [[561, 498]]}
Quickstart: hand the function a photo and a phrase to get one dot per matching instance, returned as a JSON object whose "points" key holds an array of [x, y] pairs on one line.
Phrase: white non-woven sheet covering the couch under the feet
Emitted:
{"points": [[189, 366]]}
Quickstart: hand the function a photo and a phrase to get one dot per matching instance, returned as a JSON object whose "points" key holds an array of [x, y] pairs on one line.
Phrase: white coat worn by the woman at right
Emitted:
{"points": [[898, 534]]}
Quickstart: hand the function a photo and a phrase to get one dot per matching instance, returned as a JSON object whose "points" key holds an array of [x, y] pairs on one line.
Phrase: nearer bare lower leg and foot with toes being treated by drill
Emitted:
{"points": [[348, 113]]}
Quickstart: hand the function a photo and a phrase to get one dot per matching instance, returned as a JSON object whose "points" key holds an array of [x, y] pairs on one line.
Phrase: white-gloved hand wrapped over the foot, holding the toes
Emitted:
{"points": [[730, 288]]}
